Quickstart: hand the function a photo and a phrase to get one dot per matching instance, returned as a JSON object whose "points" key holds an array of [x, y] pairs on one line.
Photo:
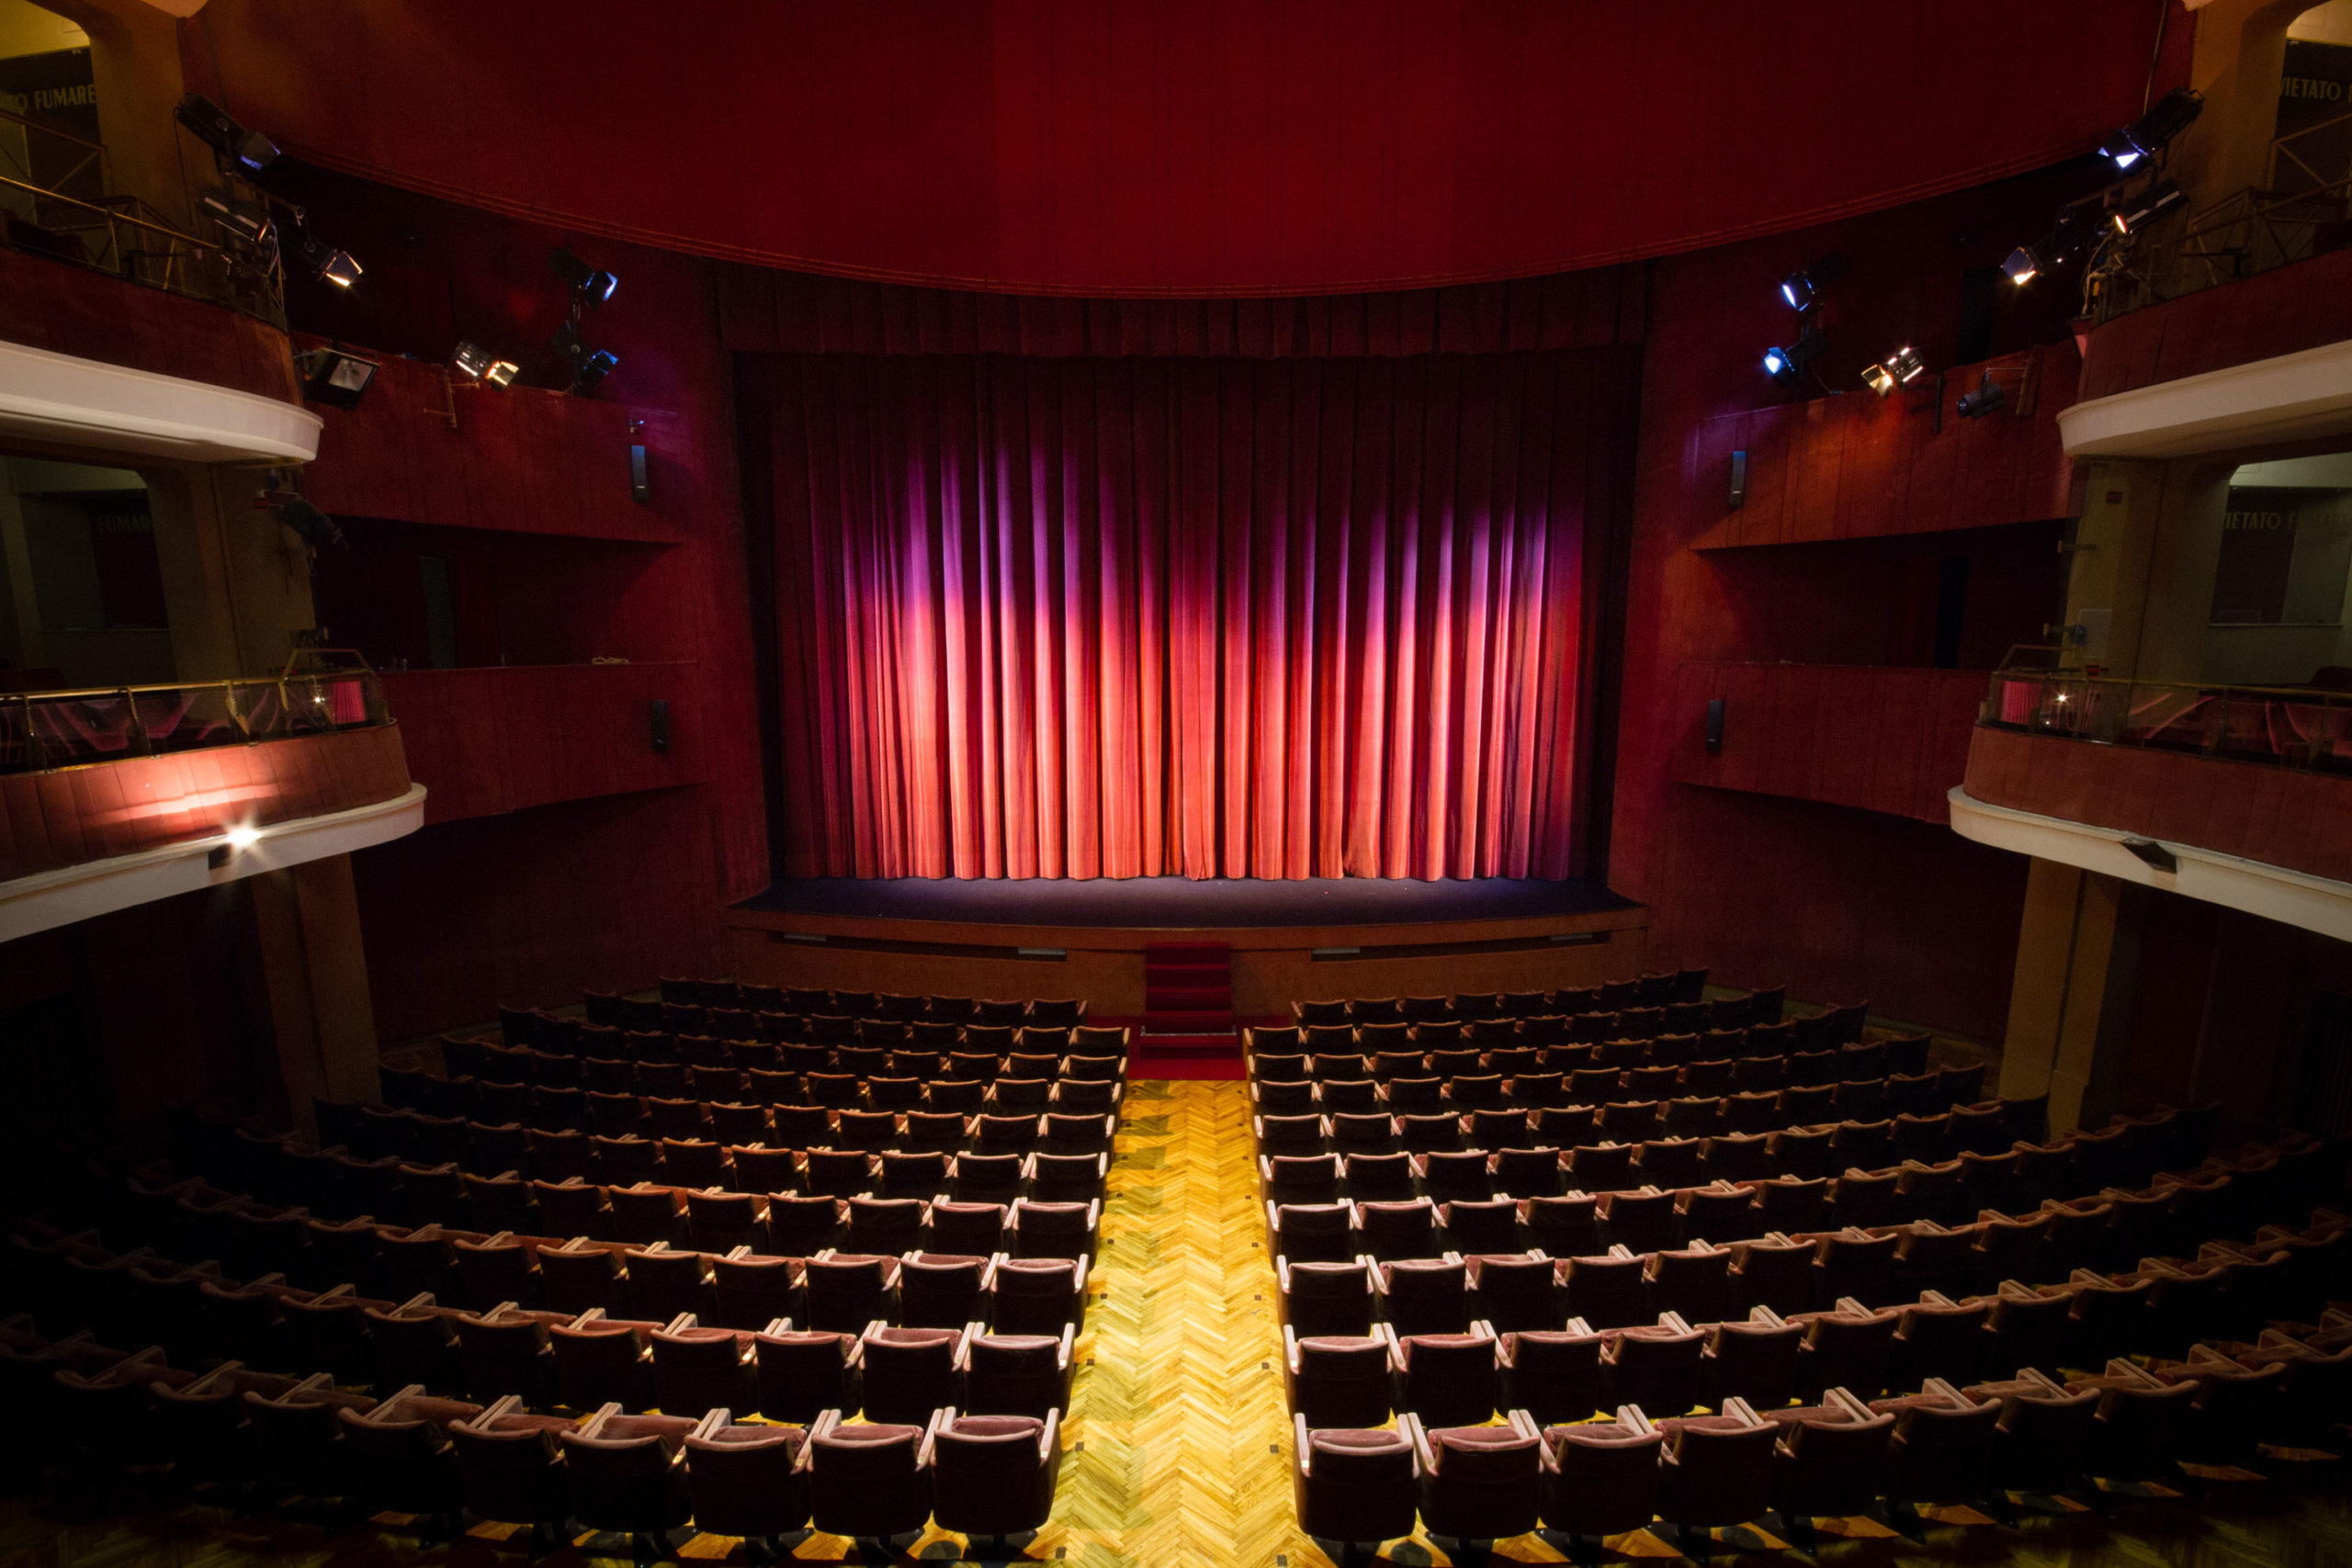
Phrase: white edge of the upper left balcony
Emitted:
{"points": [[114, 408]]}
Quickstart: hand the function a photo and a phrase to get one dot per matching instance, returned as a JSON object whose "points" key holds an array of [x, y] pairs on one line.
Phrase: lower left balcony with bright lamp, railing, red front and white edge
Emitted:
{"points": [[119, 798]]}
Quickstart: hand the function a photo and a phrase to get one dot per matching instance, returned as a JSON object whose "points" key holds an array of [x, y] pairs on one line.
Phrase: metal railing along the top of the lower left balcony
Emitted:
{"points": [[55, 730]]}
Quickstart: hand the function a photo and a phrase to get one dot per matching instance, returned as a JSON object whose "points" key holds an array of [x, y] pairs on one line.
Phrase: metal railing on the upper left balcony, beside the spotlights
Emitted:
{"points": [[65, 206]]}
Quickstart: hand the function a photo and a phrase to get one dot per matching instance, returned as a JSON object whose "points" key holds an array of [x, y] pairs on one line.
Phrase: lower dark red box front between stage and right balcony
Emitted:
{"points": [[1866, 737]]}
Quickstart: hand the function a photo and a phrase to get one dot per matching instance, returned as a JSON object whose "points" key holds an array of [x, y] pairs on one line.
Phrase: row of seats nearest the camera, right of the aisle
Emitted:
{"points": [[1838, 1456]]}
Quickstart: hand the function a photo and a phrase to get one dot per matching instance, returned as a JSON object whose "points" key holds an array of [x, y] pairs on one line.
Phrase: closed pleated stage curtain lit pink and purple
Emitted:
{"points": [[1189, 617]]}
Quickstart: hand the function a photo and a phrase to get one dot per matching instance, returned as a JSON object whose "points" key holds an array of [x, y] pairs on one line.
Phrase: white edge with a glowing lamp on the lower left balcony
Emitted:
{"points": [[100, 887]]}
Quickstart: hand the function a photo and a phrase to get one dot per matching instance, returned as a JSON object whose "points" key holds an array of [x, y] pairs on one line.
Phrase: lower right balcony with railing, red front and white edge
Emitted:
{"points": [[2238, 796]]}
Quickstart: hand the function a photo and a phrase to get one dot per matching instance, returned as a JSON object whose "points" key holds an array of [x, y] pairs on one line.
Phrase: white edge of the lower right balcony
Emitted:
{"points": [[2273, 892]]}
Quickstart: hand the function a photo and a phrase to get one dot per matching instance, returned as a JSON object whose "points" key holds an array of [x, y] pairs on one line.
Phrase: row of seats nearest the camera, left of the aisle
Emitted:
{"points": [[443, 1459]]}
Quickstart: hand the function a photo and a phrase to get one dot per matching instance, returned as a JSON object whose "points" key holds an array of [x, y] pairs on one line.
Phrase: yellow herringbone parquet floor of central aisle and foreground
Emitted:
{"points": [[1180, 1445]]}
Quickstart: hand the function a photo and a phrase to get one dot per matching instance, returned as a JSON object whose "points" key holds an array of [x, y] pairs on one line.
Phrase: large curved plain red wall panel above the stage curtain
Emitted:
{"points": [[1156, 147]]}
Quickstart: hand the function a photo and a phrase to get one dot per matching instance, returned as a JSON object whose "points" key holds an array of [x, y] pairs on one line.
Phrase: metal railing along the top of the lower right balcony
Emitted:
{"points": [[2271, 725]]}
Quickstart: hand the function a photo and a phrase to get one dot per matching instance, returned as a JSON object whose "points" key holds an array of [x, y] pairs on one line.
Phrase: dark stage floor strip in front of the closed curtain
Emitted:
{"points": [[1182, 904]]}
